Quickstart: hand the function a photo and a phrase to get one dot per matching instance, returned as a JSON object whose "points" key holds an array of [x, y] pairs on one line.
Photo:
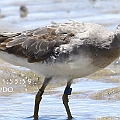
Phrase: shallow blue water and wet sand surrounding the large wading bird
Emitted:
{"points": [[96, 97]]}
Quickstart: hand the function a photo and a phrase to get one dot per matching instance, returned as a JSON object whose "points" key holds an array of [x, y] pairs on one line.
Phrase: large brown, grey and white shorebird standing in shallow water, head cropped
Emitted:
{"points": [[61, 51]]}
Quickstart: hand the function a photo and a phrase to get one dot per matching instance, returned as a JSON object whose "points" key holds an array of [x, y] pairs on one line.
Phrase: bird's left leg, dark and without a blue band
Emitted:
{"points": [[39, 97]]}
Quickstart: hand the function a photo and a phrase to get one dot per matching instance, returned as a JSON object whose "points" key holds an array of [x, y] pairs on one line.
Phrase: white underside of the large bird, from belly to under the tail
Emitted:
{"points": [[79, 67]]}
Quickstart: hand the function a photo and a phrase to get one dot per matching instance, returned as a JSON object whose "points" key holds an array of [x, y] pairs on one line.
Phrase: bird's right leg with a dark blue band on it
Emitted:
{"points": [[65, 99]]}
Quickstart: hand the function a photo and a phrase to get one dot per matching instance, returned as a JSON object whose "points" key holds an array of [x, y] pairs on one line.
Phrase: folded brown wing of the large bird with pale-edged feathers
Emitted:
{"points": [[37, 44]]}
